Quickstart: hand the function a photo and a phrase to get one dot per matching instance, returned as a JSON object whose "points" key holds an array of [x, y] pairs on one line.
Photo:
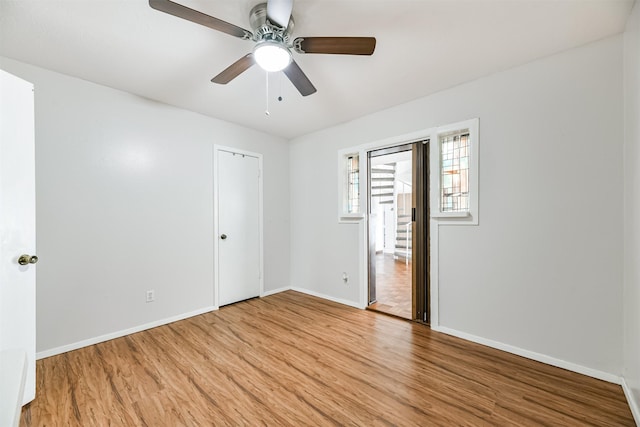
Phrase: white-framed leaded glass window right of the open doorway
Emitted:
{"points": [[454, 166]]}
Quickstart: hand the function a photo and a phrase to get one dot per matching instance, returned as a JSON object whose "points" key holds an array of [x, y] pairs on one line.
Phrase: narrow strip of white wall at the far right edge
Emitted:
{"points": [[631, 352]]}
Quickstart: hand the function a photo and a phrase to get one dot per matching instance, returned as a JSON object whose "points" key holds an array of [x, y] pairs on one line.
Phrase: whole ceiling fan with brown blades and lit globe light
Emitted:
{"points": [[272, 26]]}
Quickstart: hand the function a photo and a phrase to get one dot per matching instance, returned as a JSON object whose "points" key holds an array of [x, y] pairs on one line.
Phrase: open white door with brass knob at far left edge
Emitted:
{"points": [[17, 236]]}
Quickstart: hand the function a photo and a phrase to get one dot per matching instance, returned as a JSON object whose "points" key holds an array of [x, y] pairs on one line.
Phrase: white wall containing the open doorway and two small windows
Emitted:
{"points": [[543, 269]]}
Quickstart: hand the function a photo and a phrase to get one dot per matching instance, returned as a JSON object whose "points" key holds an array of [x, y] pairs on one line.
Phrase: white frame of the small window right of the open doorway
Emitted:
{"points": [[469, 217]]}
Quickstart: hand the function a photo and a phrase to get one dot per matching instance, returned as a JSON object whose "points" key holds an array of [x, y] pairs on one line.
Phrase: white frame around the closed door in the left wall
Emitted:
{"points": [[216, 210]]}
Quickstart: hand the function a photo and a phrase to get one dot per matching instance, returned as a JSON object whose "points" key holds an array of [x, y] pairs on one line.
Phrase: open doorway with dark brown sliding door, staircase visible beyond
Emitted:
{"points": [[398, 231]]}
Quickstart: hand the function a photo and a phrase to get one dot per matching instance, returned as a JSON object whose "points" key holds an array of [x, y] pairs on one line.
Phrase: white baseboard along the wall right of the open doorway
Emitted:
{"points": [[594, 373]]}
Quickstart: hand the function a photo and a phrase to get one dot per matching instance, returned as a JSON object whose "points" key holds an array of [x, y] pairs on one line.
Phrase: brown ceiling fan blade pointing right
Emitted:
{"points": [[335, 45]]}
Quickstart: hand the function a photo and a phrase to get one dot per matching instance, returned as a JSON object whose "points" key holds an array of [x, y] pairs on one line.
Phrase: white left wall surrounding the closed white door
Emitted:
{"points": [[124, 204]]}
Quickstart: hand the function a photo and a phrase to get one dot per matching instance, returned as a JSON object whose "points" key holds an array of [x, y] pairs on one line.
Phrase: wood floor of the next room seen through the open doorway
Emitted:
{"points": [[393, 287]]}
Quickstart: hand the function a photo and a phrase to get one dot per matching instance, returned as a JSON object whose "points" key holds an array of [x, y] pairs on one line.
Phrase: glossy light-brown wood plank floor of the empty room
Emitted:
{"points": [[292, 359]]}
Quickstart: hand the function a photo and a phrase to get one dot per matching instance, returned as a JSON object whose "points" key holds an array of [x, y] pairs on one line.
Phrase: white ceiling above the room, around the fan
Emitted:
{"points": [[423, 46]]}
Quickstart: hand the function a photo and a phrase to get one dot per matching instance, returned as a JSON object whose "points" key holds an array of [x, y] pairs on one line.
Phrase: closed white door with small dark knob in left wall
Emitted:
{"points": [[239, 234]]}
